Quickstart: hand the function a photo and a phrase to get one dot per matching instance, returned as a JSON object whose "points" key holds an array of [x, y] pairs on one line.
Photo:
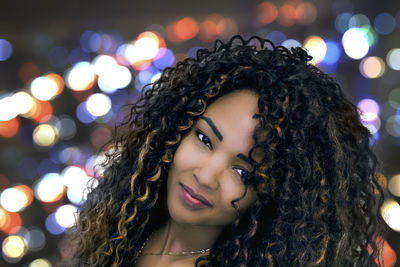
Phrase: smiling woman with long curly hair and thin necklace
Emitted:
{"points": [[242, 156]]}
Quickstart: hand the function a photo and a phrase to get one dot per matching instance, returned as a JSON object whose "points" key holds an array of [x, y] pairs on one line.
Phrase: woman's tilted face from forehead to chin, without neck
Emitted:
{"points": [[210, 161]]}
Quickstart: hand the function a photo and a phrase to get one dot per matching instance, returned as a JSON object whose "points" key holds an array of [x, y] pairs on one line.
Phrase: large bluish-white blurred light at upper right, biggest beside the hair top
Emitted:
{"points": [[355, 43]]}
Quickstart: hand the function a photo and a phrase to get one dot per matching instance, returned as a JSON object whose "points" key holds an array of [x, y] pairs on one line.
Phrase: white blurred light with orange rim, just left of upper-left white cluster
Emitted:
{"points": [[80, 77]]}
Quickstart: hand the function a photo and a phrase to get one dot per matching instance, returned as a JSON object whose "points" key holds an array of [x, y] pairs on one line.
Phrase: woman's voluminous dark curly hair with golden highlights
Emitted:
{"points": [[316, 183]]}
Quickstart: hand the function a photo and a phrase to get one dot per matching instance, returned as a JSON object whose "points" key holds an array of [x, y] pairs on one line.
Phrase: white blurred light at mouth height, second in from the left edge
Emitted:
{"points": [[50, 188]]}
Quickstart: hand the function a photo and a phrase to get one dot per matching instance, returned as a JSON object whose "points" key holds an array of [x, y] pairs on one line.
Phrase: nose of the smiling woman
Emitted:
{"points": [[208, 174]]}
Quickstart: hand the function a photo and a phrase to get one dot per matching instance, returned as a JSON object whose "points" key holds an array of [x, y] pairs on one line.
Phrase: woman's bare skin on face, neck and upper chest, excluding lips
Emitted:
{"points": [[207, 161]]}
